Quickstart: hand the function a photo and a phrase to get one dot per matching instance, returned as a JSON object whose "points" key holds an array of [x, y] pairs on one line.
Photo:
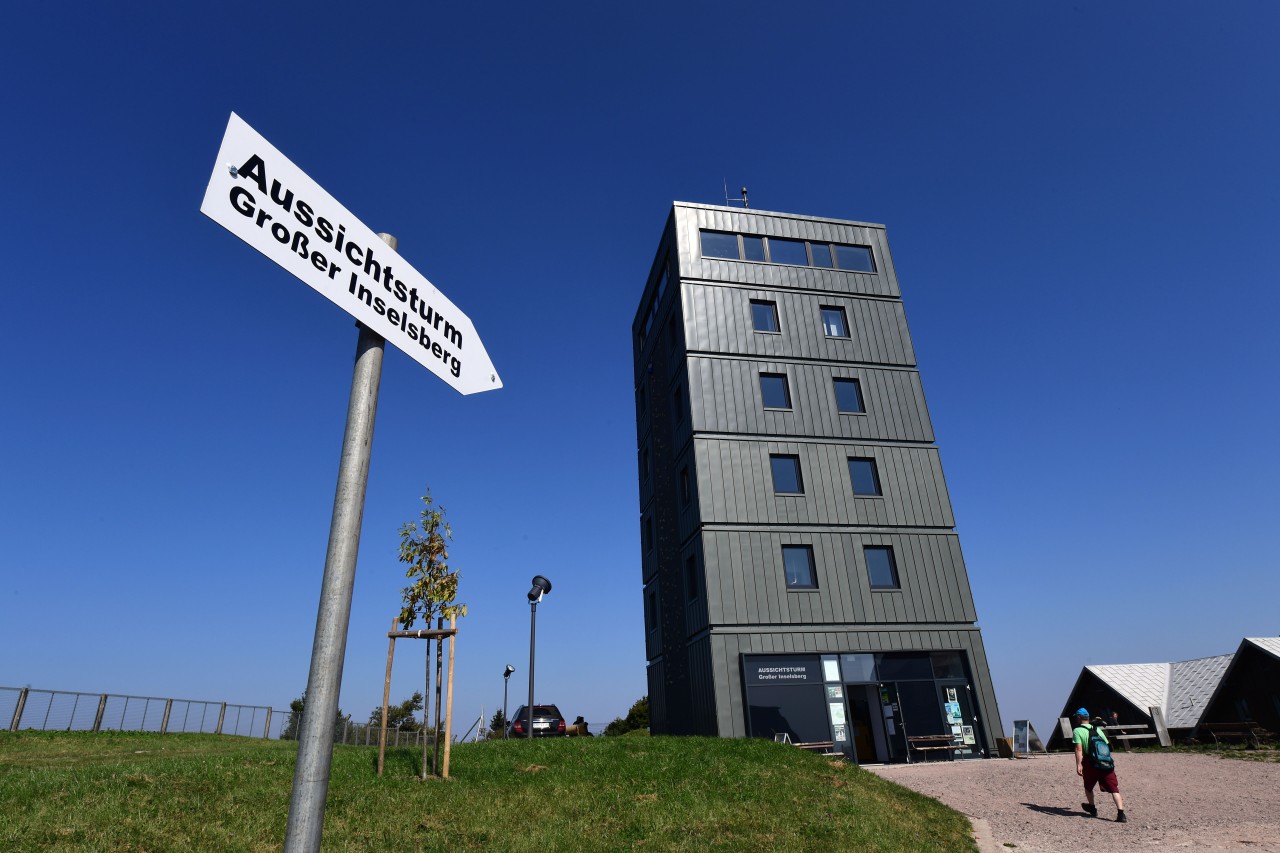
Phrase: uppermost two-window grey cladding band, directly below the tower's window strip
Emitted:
{"points": [[719, 320]]}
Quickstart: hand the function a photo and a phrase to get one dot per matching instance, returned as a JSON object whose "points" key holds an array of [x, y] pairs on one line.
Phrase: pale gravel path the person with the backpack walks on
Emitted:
{"points": [[1192, 802]]}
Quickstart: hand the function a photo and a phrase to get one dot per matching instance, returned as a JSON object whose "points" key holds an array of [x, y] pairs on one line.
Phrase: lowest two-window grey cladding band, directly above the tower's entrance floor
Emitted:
{"points": [[747, 585]]}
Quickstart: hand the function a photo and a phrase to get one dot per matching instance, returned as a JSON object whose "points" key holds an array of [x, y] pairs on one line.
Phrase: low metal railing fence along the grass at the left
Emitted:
{"points": [[71, 711]]}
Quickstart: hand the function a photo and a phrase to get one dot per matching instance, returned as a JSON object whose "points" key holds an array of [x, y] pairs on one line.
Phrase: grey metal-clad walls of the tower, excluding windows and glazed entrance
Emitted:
{"points": [[714, 528]]}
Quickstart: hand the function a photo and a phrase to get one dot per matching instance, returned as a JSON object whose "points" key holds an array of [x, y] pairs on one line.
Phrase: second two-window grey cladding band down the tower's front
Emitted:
{"points": [[726, 399]]}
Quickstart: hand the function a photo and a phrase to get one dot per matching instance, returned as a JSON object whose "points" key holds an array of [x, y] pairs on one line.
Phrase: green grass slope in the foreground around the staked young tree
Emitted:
{"points": [[149, 792]]}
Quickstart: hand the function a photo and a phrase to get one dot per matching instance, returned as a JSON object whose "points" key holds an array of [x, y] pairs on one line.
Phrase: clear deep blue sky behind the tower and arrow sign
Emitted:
{"points": [[1082, 207]]}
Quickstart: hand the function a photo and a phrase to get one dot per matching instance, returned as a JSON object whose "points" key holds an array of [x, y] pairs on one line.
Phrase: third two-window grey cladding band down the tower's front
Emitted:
{"points": [[735, 485]]}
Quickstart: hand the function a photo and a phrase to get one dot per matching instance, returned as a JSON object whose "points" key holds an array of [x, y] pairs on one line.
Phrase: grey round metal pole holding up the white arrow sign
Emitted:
{"points": [[316, 740]]}
